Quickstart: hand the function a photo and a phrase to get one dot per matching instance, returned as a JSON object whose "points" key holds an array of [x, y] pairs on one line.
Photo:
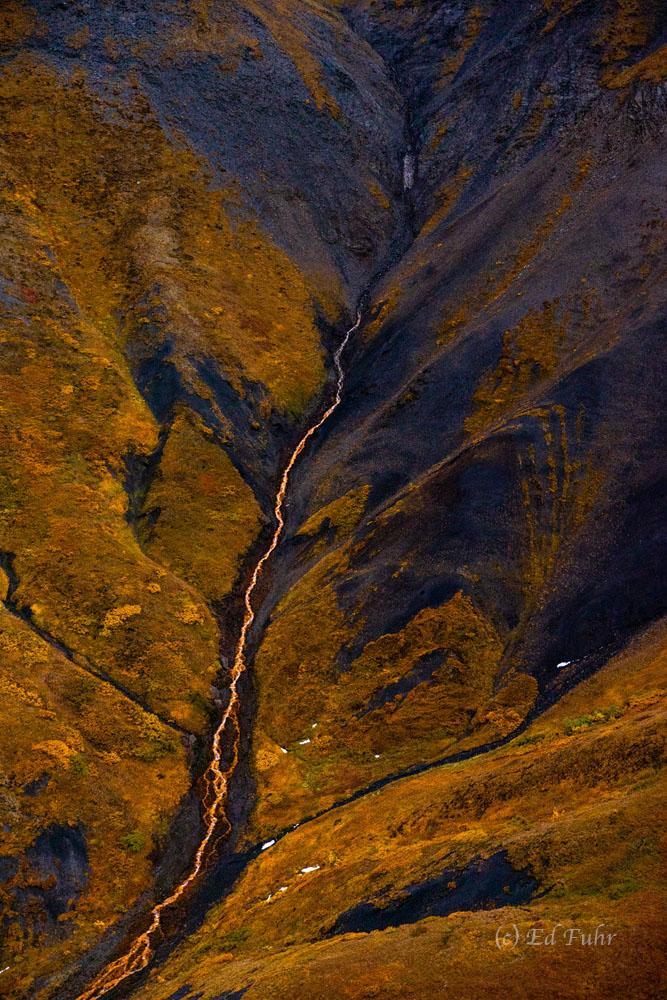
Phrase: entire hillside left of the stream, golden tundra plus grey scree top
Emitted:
{"points": [[176, 252]]}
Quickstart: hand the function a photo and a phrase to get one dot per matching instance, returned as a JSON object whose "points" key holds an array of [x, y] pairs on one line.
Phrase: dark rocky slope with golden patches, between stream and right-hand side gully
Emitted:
{"points": [[492, 485]]}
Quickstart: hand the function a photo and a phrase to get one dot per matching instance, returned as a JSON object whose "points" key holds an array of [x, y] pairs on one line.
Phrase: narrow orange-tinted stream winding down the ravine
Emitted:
{"points": [[218, 774]]}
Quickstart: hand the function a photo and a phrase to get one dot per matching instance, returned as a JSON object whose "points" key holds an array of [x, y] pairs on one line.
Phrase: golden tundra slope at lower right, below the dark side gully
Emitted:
{"points": [[578, 798]]}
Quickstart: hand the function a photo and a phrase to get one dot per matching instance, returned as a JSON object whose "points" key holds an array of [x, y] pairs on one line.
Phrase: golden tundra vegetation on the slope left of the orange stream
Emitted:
{"points": [[115, 236]]}
